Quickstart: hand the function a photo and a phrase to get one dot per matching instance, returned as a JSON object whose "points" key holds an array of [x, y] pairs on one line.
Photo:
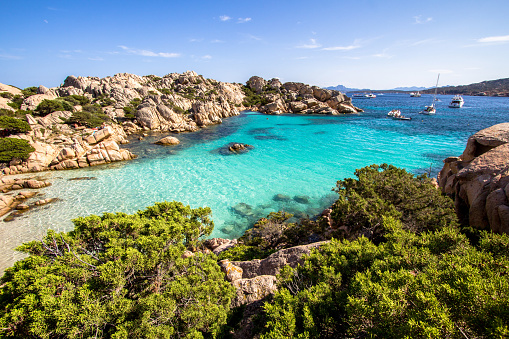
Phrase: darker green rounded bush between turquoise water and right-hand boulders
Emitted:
{"points": [[386, 190]]}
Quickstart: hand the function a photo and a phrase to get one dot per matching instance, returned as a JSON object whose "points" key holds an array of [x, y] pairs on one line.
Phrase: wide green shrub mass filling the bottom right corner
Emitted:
{"points": [[428, 285]]}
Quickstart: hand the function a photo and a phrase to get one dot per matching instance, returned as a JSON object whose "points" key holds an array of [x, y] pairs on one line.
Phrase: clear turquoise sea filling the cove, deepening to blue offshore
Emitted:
{"points": [[294, 164]]}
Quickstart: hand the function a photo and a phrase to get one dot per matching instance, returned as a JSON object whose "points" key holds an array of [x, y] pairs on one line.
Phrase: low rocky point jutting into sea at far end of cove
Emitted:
{"points": [[299, 98]]}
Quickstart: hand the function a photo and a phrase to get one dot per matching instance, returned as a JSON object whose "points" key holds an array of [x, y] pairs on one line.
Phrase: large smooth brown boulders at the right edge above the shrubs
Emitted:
{"points": [[478, 180]]}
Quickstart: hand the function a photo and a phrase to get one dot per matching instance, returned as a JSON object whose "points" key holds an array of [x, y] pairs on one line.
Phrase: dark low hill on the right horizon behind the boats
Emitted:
{"points": [[494, 88]]}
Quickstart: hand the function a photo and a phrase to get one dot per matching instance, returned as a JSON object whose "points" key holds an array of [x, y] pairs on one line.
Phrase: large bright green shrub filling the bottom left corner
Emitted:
{"points": [[118, 276]]}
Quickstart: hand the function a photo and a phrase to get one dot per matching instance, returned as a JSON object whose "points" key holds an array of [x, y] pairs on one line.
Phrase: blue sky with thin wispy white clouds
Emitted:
{"points": [[358, 43]]}
